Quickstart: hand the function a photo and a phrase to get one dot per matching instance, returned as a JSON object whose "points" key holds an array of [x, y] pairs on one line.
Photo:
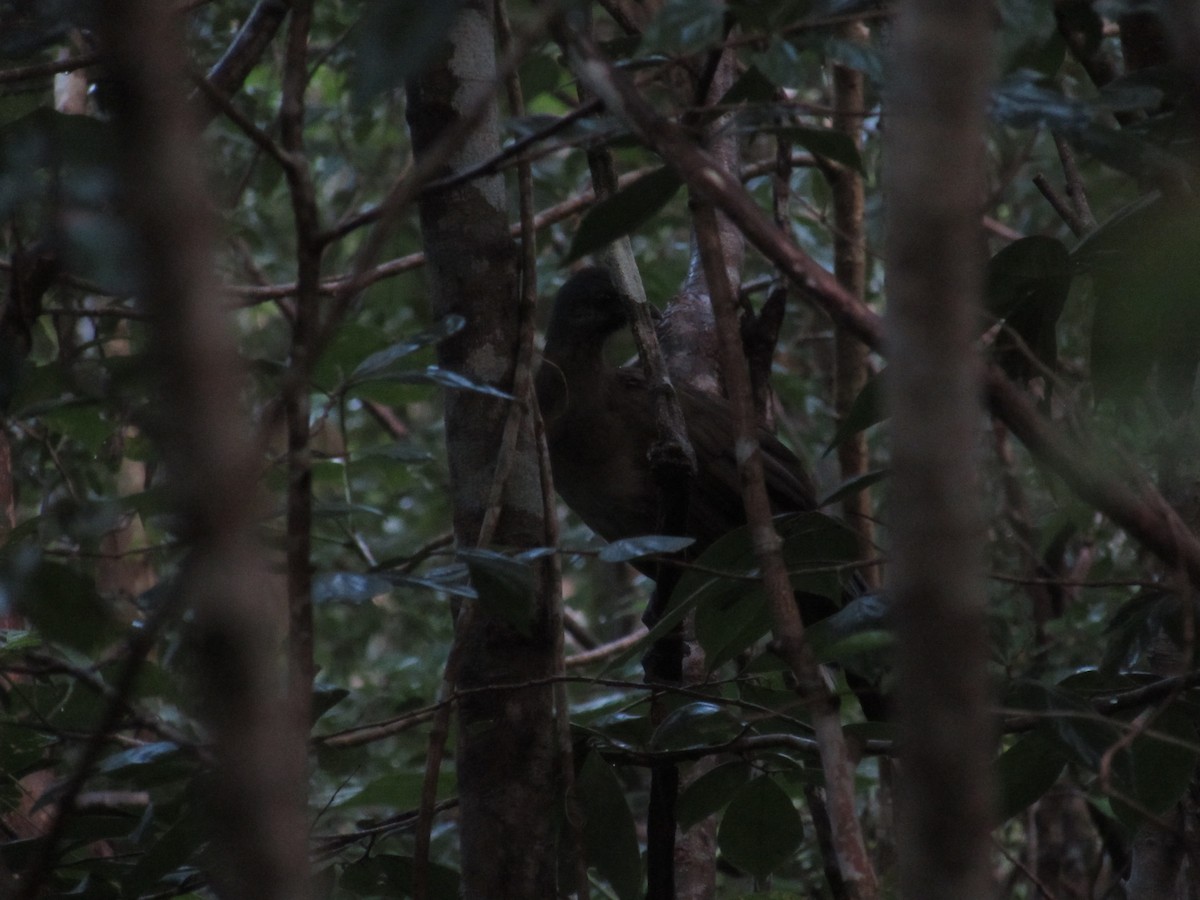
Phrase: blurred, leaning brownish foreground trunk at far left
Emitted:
{"points": [[257, 791]]}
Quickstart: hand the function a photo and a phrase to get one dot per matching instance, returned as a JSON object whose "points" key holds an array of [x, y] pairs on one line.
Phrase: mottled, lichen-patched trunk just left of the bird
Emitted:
{"points": [[506, 751]]}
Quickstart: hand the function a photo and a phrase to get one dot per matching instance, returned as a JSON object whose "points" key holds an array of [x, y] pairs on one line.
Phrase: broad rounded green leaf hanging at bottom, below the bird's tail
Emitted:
{"points": [[761, 830]]}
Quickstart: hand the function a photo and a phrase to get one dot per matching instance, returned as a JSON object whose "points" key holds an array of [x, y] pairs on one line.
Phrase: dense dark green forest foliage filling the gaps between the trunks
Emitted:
{"points": [[1102, 327]]}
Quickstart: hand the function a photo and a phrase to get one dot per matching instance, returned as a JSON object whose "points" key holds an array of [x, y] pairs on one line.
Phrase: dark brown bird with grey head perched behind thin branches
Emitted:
{"points": [[601, 427]]}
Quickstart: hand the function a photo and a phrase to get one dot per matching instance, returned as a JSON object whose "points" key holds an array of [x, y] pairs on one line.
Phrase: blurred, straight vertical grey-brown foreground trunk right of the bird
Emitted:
{"points": [[933, 183]]}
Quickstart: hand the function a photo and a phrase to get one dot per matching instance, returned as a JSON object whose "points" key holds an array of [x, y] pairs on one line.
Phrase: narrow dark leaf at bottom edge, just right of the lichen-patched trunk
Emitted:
{"points": [[610, 835]]}
